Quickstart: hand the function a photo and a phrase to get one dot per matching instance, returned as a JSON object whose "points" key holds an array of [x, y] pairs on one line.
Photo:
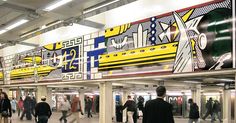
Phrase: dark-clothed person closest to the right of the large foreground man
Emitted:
{"points": [[194, 112]]}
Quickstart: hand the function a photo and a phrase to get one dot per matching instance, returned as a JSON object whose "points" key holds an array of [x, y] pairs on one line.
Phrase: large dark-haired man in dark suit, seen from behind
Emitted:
{"points": [[158, 110]]}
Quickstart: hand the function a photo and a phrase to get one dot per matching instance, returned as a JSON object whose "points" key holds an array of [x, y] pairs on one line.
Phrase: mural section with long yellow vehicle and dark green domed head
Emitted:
{"points": [[196, 38]]}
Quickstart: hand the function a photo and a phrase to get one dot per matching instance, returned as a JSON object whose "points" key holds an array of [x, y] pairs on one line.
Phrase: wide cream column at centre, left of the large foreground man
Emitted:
{"points": [[105, 105]]}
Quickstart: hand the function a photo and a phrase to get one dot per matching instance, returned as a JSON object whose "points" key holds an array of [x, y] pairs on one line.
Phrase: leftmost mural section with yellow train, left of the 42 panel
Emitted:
{"points": [[41, 64]]}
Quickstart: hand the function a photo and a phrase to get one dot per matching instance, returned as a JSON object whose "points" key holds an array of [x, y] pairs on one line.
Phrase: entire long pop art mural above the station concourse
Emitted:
{"points": [[193, 39]]}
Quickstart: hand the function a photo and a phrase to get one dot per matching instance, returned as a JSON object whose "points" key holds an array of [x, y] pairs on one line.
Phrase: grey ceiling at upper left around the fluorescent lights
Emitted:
{"points": [[11, 9]]}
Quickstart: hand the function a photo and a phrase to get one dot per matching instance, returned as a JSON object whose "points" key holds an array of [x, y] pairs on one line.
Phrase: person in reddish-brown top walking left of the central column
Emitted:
{"points": [[76, 109]]}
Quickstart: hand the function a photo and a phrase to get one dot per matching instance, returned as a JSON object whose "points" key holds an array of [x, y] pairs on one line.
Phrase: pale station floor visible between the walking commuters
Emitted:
{"points": [[55, 117]]}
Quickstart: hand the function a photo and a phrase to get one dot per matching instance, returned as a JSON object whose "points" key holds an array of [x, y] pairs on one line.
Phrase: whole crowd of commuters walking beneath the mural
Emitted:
{"points": [[154, 111]]}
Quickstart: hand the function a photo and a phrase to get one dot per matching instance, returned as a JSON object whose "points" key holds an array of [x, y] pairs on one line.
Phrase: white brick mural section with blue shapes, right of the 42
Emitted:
{"points": [[94, 46]]}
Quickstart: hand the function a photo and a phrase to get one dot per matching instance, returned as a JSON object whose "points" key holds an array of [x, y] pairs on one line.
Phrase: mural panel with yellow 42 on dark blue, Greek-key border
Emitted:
{"points": [[72, 53]]}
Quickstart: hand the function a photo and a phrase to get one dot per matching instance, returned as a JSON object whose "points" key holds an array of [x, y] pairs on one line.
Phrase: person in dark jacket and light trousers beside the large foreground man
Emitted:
{"points": [[131, 109]]}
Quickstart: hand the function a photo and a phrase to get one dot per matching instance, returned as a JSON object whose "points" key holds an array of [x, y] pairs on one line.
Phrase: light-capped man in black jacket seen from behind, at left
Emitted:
{"points": [[43, 111]]}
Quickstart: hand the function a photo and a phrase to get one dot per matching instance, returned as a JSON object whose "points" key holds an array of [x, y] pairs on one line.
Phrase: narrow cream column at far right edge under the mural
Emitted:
{"points": [[227, 106]]}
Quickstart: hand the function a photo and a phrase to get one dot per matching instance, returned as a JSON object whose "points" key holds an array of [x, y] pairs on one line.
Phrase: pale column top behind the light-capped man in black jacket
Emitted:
{"points": [[42, 91]]}
